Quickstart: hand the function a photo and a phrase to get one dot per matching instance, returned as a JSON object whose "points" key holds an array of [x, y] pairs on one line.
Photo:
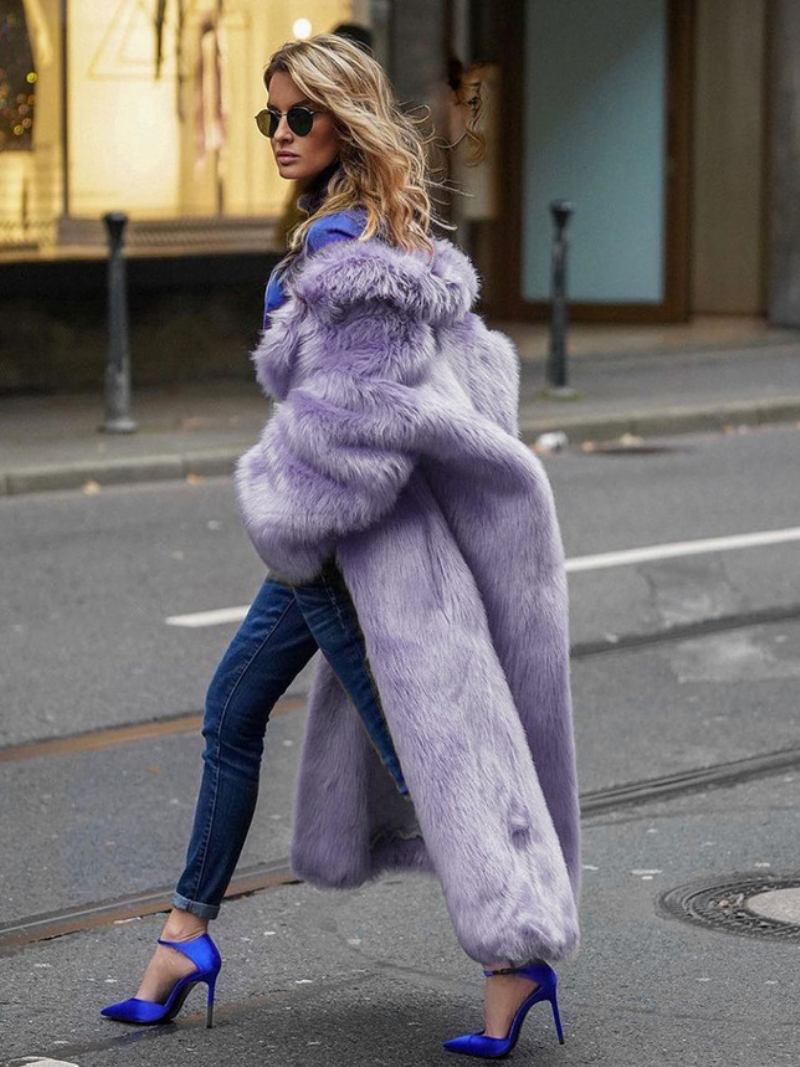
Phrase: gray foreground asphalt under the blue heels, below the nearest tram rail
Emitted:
{"points": [[375, 977]]}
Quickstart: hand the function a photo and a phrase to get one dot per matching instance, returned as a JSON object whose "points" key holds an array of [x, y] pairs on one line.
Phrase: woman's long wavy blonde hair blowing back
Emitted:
{"points": [[383, 155]]}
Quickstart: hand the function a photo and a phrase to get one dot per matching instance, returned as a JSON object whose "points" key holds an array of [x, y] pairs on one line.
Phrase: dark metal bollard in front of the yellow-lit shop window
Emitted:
{"points": [[118, 364]]}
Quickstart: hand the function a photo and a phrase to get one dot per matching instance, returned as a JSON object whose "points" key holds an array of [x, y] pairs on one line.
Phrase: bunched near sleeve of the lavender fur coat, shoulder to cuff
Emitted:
{"points": [[345, 360]]}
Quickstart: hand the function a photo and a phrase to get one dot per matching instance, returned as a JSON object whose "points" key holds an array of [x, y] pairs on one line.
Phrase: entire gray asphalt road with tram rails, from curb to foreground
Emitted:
{"points": [[680, 663]]}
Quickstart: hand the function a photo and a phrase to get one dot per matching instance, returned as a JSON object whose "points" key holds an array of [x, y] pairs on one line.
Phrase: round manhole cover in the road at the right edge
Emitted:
{"points": [[754, 905]]}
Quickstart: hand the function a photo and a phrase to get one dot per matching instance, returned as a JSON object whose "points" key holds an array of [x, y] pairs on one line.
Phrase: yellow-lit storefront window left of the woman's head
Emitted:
{"points": [[147, 107]]}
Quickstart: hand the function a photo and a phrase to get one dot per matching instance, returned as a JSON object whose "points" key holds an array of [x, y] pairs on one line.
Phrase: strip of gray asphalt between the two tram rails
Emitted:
{"points": [[680, 707]]}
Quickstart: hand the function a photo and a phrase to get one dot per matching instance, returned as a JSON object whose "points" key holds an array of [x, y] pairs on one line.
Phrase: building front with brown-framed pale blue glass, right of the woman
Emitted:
{"points": [[674, 130]]}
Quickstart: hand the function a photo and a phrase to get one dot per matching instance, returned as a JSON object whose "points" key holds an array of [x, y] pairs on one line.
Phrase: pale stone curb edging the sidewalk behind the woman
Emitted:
{"points": [[579, 428]]}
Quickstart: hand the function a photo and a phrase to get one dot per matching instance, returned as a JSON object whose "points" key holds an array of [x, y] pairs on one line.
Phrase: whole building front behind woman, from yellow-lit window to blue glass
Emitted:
{"points": [[671, 126]]}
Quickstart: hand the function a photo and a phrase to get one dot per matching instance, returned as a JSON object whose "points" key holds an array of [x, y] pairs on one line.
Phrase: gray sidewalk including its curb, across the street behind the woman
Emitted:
{"points": [[199, 431]]}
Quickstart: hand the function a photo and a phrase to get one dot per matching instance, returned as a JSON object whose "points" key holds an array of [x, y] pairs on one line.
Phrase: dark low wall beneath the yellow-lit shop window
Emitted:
{"points": [[185, 324]]}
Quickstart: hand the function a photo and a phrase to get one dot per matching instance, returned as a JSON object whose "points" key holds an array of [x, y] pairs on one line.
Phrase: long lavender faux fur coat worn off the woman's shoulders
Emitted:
{"points": [[394, 443]]}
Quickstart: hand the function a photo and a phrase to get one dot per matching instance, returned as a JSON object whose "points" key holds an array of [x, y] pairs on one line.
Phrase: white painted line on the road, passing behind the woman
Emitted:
{"points": [[597, 563]]}
